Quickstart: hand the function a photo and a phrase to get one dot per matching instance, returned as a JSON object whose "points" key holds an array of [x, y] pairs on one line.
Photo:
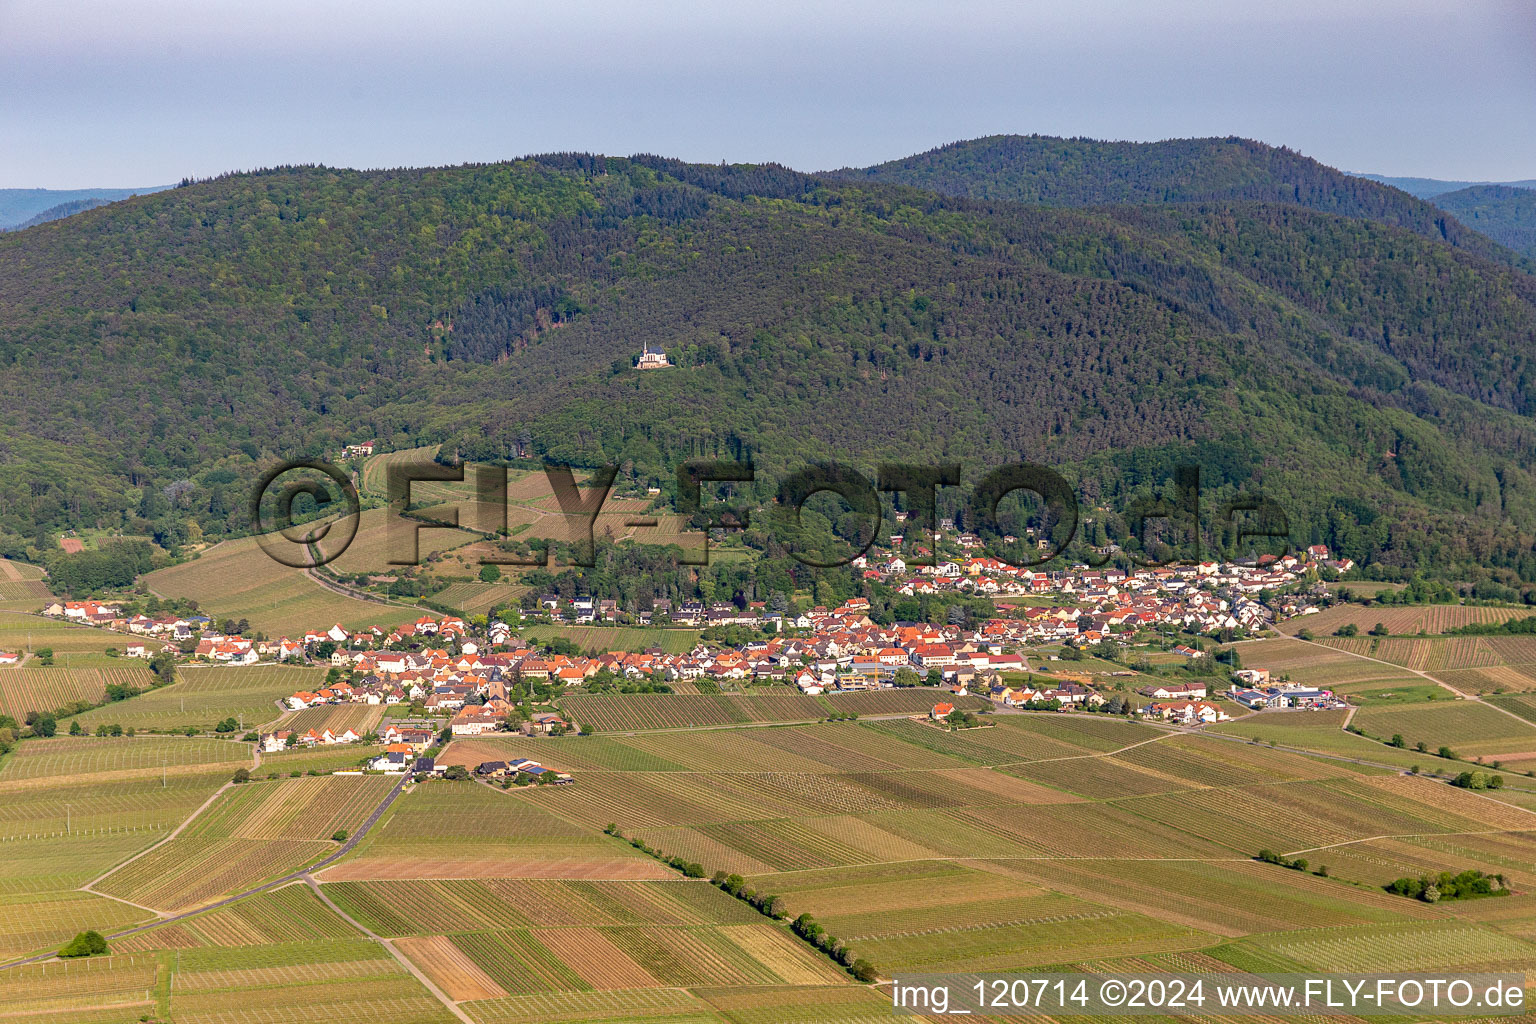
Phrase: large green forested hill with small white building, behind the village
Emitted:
{"points": [[156, 352]]}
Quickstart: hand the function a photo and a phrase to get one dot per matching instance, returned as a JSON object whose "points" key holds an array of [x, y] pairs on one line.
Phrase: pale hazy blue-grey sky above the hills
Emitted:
{"points": [[136, 93]]}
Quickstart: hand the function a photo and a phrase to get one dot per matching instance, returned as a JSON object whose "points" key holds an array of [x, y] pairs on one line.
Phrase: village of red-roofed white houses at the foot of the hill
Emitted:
{"points": [[465, 681]]}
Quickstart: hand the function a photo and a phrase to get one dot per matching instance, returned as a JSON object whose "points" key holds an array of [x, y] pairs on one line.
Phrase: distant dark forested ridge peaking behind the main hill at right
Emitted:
{"points": [[1090, 173]]}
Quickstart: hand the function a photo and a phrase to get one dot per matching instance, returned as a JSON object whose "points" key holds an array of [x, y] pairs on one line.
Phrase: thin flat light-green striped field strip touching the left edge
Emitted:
{"points": [[145, 755]]}
